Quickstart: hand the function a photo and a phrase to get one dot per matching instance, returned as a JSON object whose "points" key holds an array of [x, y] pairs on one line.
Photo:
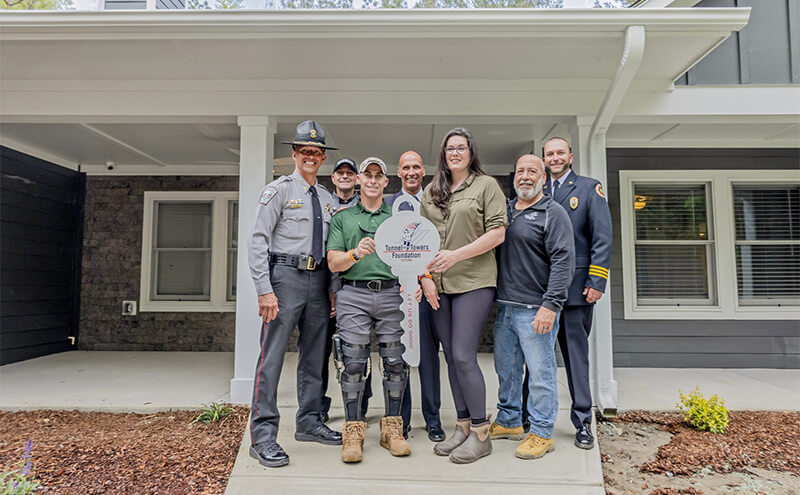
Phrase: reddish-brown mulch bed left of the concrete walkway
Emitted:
{"points": [[78, 452]]}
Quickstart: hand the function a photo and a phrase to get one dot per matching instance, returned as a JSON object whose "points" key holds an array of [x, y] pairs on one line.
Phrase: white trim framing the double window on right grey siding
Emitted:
{"points": [[724, 252]]}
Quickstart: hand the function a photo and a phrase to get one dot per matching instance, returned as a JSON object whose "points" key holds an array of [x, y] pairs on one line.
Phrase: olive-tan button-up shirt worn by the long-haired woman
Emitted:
{"points": [[477, 206]]}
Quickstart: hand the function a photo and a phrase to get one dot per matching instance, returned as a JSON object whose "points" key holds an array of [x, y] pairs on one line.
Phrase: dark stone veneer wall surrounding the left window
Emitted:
{"points": [[112, 250]]}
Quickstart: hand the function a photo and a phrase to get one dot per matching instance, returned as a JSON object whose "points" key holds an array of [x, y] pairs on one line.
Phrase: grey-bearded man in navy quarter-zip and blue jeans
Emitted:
{"points": [[535, 266]]}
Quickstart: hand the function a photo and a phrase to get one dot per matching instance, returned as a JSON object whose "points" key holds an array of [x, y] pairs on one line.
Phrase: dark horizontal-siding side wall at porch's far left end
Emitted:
{"points": [[40, 245]]}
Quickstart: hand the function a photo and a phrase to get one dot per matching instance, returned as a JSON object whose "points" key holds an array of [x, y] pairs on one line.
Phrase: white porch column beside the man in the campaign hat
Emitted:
{"points": [[255, 170]]}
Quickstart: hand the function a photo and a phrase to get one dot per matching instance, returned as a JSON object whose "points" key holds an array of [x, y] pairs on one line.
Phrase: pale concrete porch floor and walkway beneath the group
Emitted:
{"points": [[148, 381]]}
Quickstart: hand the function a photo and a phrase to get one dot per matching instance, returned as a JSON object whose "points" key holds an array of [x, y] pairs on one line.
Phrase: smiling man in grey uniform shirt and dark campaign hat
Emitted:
{"points": [[287, 263]]}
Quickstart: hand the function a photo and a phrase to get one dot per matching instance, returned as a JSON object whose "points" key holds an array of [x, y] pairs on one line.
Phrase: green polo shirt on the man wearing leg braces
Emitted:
{"points": [[351, 225]]}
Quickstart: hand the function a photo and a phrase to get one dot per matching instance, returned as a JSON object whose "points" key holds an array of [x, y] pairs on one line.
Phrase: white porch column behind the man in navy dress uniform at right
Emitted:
{"points": [[590, 158]]}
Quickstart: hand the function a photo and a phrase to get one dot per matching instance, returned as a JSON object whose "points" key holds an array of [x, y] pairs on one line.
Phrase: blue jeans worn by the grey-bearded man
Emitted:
{"points": [[515, 345]]}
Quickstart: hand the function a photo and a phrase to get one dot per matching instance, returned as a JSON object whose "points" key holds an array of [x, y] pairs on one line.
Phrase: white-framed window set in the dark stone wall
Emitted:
{"points": [[189, 250]]}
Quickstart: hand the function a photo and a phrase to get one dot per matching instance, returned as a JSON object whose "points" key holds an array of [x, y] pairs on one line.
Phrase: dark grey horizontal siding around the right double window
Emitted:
{"points": [[696, 343]]}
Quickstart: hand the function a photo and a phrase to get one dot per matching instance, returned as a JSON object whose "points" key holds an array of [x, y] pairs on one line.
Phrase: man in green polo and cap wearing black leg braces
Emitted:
{"points": [[369, 298]]}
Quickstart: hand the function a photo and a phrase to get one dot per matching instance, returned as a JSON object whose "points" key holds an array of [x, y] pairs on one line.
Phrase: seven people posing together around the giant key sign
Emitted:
{"points": [[543, 257]]}
